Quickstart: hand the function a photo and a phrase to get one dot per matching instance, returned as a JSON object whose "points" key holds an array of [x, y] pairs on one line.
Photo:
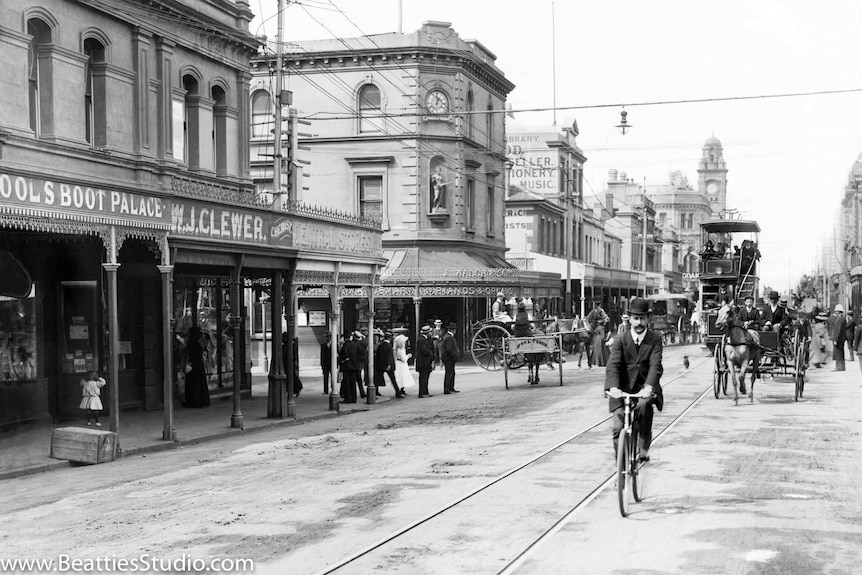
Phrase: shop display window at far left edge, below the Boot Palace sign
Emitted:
{"points": [[18, 350]]}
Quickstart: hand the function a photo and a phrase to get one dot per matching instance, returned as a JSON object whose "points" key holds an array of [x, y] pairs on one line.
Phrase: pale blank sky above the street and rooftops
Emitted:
{"points": [[788, 158]]}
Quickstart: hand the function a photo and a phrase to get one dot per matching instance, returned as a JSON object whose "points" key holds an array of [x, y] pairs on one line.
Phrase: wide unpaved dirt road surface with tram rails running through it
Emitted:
{"points": [[768, 487]]}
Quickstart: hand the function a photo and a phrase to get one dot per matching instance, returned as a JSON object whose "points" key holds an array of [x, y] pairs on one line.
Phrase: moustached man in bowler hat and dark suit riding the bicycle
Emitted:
{"points": [[634, 366]]}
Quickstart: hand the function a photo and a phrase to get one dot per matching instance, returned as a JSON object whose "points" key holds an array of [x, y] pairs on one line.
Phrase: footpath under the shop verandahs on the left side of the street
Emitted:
{"points": [[26, 449]]}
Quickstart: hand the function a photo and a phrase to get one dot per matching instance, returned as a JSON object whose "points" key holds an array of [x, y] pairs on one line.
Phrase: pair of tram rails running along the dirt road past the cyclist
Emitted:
{"points": [[536, 543]]}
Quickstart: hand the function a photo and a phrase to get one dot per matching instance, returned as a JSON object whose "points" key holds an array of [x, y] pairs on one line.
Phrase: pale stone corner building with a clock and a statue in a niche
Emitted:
{"points": [[407, 129]]}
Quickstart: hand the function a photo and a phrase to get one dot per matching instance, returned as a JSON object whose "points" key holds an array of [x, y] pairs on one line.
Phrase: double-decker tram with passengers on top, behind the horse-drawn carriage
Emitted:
{"points": [[729, 269]]}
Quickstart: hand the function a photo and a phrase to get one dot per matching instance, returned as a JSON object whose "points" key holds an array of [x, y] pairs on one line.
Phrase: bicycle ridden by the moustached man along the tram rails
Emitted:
{"points": [[631, 469]]}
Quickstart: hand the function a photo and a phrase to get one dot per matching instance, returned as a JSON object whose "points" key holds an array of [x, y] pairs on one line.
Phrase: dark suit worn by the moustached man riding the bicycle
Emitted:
{"points": [[630, 368]]}
